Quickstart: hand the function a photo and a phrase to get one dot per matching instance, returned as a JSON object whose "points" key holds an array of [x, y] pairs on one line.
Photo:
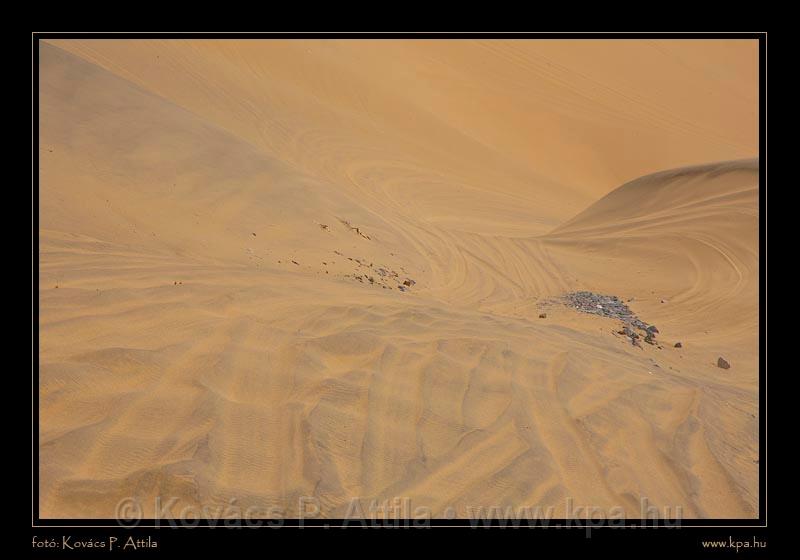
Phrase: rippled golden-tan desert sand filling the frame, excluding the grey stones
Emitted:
{"points": [[211, 214]]}
